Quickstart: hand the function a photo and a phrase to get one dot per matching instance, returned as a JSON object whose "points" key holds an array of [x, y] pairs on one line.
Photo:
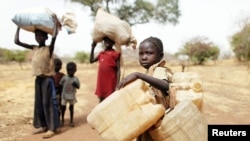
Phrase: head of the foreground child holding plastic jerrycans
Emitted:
{"points": [[150, 52]]}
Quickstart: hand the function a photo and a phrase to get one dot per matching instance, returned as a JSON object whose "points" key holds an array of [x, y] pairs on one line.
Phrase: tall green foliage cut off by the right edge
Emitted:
{"points": [[240, 43]]}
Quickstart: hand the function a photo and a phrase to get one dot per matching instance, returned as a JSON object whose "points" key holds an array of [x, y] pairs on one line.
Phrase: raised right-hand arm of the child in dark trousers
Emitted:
{"points": [[54, 35]]}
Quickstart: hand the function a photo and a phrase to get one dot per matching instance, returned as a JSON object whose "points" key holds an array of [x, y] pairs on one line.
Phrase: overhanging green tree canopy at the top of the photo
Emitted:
{"points": [[137, 11]]}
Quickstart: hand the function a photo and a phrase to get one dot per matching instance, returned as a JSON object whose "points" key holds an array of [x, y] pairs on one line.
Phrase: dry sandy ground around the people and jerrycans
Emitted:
{"points": [[226, 100]]}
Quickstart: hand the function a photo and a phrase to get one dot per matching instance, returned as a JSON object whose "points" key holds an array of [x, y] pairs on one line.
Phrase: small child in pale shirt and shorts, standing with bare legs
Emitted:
{"points": [[70, 83]]}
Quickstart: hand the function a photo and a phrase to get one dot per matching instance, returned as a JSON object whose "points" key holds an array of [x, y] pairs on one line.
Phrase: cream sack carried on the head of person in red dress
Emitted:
{"points": [[114, 28]]}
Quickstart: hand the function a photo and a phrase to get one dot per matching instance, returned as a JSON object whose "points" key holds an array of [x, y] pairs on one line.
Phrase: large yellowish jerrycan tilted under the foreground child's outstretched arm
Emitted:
{"points": [[126, 113]]}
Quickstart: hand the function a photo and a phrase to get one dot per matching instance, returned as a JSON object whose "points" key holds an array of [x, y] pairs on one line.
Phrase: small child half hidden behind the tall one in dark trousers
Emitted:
{"points": [[57, 77]]}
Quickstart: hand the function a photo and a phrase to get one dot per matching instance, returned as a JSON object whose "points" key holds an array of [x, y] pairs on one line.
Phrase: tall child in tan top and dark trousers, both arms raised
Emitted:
{"points": [[45, 106]]}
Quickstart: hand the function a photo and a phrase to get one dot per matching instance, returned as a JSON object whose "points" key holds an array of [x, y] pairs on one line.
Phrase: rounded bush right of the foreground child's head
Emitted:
{"points": [[199, 49]]}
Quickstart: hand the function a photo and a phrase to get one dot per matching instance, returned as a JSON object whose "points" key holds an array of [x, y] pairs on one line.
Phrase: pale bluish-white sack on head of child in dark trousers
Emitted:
{"points": [[42, 18]]}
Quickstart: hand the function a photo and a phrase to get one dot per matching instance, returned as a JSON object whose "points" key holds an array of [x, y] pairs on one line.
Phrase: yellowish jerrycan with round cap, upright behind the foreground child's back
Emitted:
{"points": [[188, 86]]}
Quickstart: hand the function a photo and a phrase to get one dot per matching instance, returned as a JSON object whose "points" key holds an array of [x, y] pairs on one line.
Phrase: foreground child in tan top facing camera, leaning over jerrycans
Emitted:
{"points": [[158, 77]]}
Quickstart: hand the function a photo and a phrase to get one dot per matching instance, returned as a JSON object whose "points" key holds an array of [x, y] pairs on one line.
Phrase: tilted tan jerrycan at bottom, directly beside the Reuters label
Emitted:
{"points": [[184, 123]]}
